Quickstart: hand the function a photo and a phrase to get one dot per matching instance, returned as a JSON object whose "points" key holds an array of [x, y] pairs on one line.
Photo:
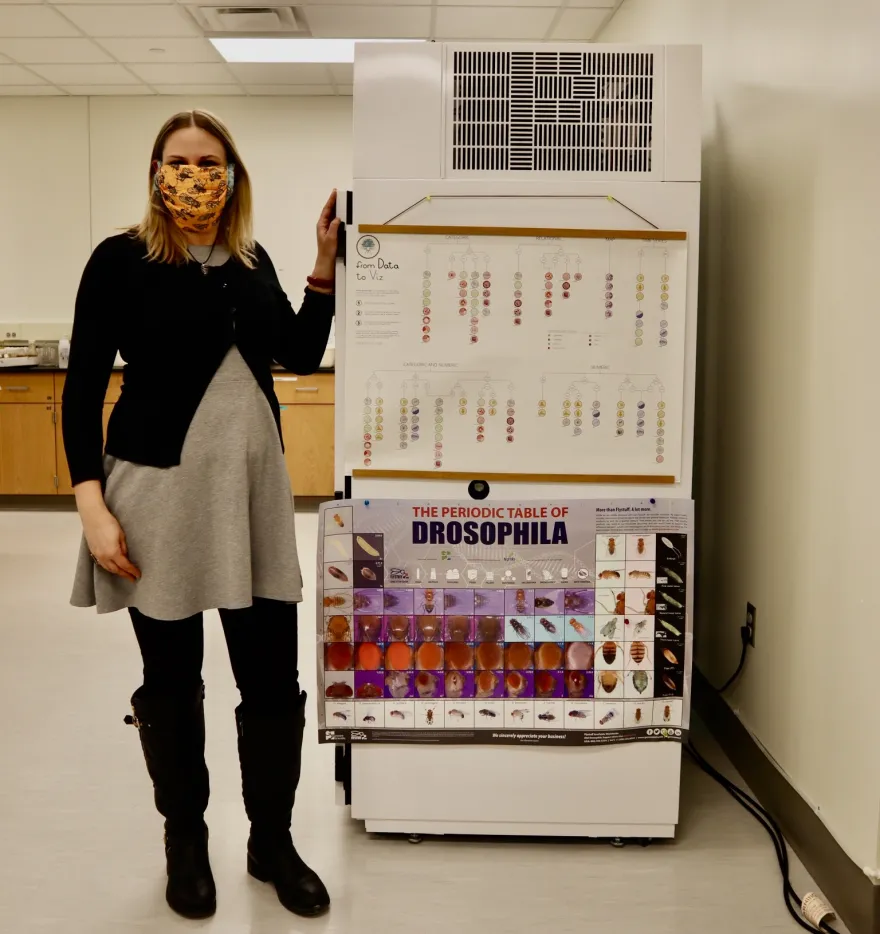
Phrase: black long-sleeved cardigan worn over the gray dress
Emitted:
{"points": [[173, 326]]}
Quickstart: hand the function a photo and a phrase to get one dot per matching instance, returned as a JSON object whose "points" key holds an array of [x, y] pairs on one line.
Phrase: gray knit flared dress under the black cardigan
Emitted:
{"points": [[215, 531]]}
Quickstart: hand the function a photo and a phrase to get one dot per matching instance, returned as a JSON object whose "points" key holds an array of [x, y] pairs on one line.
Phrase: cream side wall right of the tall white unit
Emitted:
{"points": [[790, 429]]}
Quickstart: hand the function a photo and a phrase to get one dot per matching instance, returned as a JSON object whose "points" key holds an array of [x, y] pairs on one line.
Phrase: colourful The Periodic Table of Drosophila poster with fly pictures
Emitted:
{"points": [[539, 623]]}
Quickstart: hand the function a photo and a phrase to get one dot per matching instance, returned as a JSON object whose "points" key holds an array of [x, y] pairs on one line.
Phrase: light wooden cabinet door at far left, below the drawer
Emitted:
{"points": [[27, 449]]}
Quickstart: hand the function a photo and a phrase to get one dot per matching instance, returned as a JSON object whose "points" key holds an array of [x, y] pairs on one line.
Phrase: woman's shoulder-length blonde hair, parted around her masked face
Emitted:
{"points": [[164, 240]]}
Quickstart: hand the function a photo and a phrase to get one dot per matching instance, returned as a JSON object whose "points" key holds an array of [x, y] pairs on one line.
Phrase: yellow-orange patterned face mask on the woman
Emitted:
{"points": [[195, 195]]}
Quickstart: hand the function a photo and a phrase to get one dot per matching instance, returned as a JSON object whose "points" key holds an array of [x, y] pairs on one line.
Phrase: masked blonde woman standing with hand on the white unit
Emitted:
{"points": [[191, 507]]}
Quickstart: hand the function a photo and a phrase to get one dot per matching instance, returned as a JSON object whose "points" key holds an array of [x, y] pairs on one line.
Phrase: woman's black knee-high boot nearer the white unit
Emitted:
{"points": [[269, 748]]}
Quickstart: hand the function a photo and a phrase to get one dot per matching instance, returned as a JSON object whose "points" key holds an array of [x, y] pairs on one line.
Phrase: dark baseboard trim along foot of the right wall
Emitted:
{"points": [[855, 898]]}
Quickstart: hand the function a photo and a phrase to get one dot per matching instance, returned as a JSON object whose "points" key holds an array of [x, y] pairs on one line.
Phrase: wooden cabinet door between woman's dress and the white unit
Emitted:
{"points": [[308, 448]]}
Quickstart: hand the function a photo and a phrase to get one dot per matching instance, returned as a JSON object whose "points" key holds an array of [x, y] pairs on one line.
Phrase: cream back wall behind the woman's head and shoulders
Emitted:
{"points": [[74, 172]]}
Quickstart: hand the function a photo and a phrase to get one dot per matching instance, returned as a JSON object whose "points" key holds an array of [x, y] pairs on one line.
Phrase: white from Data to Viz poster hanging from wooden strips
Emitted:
{"points": [[520, 353]]}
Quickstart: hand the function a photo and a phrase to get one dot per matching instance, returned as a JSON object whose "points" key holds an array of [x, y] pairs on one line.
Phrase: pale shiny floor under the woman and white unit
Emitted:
{"points": [[80, 843]]}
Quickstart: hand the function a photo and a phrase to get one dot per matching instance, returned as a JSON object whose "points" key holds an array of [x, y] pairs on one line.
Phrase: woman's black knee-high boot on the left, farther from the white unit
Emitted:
{"points": [[172, 734]]}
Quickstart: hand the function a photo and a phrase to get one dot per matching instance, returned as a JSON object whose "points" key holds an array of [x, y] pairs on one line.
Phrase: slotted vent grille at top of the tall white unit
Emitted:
{"points": [[552, 111]]}
